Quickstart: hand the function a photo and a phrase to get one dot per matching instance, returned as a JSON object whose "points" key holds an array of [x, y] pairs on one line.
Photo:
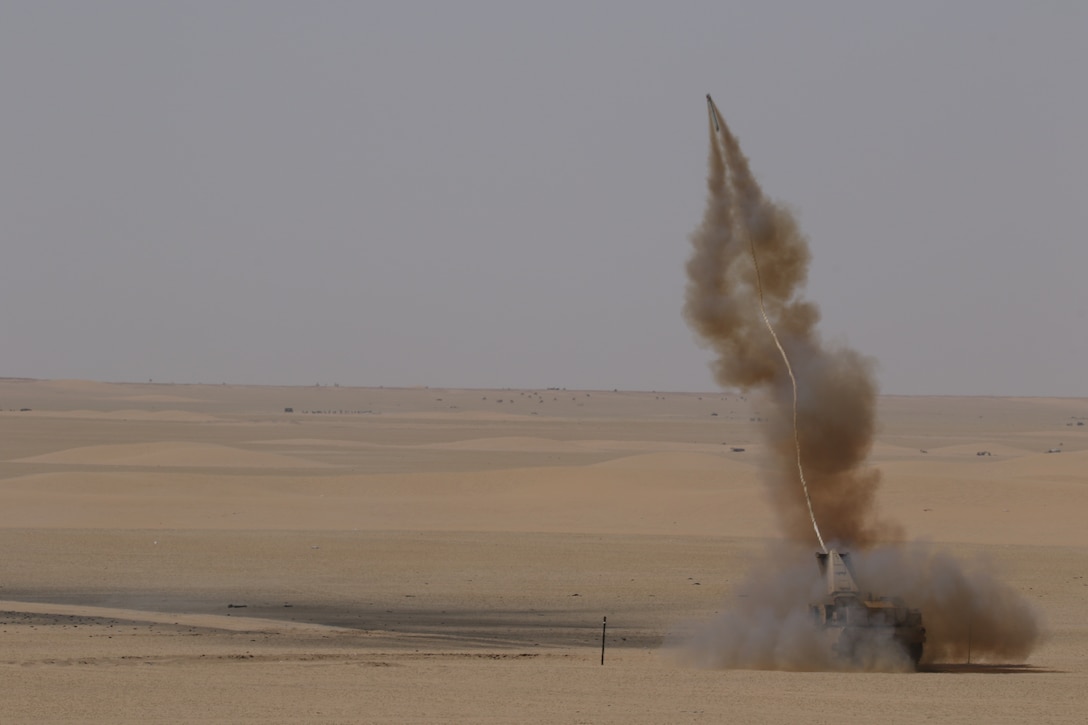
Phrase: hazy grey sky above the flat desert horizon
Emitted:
{"points": [[500, 194]]}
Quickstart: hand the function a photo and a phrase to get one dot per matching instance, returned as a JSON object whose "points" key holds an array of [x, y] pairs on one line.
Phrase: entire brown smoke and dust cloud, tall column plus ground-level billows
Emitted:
{"points": [[750, 259]]}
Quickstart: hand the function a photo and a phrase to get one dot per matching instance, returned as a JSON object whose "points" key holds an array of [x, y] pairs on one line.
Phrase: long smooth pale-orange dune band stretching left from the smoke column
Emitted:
{"points": [[700, 500]]}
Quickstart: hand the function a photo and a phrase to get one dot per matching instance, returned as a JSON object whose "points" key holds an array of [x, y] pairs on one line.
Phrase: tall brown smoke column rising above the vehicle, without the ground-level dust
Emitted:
{"points": [[749, 265]]}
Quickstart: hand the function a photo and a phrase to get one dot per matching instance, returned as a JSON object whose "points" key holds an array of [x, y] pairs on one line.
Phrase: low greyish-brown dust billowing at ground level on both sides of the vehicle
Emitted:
{"points": [[969, 612]]}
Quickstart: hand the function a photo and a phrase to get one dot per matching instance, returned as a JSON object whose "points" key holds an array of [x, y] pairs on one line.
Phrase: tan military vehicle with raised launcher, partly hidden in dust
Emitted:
{"points": [[859, 624]]}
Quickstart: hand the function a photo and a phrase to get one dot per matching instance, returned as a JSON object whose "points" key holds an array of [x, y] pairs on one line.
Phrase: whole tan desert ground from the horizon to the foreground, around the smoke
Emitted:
{"points": [[199, 554]]}
